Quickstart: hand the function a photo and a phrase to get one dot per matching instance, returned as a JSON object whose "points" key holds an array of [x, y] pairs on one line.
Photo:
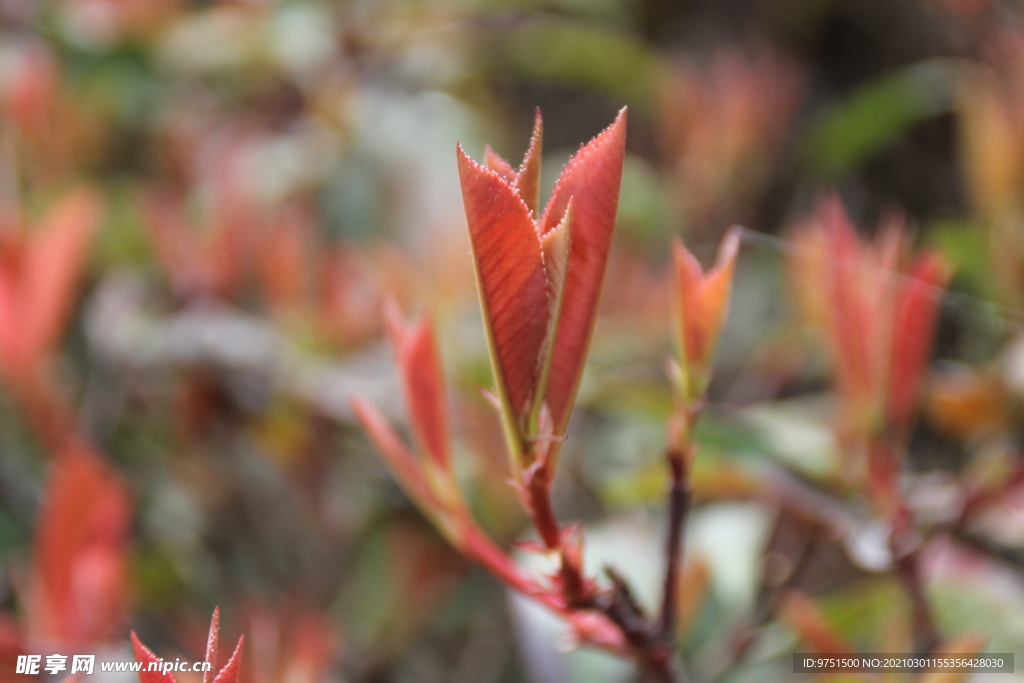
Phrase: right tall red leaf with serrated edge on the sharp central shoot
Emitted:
{"points": [[591, 182]]}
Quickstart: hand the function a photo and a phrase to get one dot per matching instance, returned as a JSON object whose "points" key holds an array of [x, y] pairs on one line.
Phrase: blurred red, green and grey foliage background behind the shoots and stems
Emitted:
{"points": [[204, 205]]}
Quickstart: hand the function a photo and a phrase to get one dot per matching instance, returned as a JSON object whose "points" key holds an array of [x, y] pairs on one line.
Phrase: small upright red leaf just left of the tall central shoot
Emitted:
{"points": [[423, 382]]}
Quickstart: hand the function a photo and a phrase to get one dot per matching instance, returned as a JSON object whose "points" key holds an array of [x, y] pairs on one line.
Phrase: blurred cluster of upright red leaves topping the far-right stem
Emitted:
{"points": [[878, 314]]}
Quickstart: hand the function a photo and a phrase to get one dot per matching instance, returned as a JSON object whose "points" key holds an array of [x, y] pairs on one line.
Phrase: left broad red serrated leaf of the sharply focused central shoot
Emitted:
{"points": [[514, 286]]}
